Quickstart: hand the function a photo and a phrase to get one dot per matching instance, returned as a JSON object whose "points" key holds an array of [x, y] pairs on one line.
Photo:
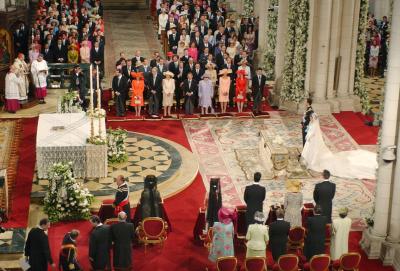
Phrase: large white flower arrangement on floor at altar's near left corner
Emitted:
{"points": [[66, 198]]}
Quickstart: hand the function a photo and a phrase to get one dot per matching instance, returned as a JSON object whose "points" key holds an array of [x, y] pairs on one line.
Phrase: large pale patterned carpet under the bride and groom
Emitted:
{"points": [[218, 143]]}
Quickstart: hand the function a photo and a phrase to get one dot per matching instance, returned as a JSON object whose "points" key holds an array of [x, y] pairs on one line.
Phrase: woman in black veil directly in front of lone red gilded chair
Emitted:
{"points": [[150, 199]]}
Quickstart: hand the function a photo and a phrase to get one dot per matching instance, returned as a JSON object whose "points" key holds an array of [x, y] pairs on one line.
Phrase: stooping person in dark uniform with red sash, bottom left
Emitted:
{"points": [[68, 254]]}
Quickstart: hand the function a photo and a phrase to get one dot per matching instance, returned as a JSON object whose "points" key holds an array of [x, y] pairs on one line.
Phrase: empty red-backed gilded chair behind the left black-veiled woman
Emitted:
{"points": [[152, 230]]}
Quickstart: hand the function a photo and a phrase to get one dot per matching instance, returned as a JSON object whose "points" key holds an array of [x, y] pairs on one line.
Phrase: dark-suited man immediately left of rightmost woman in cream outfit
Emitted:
{"points": [[315, 239]]}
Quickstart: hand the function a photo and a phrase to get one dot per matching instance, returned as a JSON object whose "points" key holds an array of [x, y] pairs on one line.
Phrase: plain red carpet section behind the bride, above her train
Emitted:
{"points": [[354, 123]]}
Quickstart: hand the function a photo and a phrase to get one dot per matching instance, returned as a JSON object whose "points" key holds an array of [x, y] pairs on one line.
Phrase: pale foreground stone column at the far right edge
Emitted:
{"points": [[373, 238]]}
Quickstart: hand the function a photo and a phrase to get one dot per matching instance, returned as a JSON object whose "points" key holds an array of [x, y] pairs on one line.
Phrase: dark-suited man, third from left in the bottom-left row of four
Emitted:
{"points": [[99, 245]]}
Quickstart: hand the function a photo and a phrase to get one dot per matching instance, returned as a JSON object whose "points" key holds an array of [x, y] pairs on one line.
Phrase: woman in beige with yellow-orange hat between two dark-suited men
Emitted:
{"points": [[293, 203]]}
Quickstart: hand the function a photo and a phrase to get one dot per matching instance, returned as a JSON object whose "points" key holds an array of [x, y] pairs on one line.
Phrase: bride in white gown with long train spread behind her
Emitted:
{"points": [[357, 164]]}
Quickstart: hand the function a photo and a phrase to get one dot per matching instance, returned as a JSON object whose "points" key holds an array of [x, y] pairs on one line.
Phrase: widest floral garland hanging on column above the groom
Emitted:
{"points": [[294, 71]]}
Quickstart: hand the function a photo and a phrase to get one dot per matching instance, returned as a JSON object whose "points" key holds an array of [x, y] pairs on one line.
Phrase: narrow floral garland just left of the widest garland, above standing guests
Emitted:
{"points": [[269, 55]]}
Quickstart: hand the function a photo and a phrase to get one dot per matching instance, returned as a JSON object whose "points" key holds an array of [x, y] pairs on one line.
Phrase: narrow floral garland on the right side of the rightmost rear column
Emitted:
{"points": [[359, 87]]}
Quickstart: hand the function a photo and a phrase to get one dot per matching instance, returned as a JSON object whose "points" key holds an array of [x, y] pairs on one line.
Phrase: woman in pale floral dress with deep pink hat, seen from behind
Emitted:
{"points": [[222, 243]]}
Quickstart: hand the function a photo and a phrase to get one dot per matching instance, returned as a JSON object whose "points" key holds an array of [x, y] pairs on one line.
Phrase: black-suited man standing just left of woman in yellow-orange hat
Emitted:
{"points": [[254, 196]]}
